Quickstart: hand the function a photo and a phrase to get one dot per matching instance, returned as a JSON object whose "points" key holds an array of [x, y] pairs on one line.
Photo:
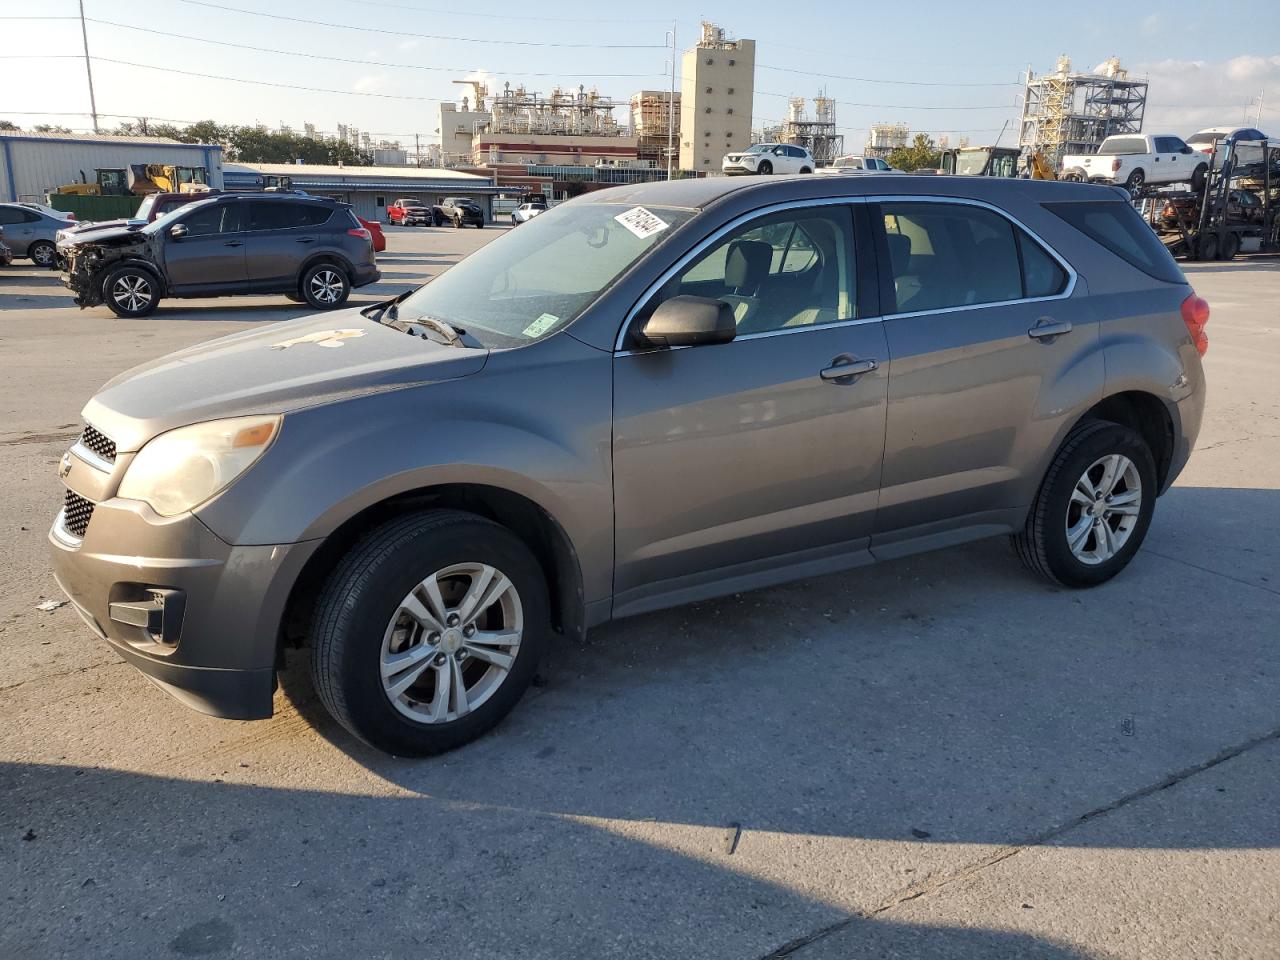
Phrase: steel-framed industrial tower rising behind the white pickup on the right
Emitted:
{"points": [[1073, 113]]}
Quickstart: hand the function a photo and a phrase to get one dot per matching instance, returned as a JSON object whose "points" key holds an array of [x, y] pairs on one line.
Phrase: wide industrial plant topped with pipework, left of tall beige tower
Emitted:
{"points": [[523, 127]]}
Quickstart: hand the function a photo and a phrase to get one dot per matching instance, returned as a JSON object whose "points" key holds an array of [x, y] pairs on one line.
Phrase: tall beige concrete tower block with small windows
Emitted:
{"points": [[717, 92]]}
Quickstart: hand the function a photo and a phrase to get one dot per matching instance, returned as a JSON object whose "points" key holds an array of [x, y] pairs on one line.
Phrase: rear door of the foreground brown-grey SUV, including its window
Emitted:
{"points": [[982, 332]]}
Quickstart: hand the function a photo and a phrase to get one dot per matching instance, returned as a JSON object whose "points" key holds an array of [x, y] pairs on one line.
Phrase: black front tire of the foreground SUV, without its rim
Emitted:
{"points": [[360, 601]]}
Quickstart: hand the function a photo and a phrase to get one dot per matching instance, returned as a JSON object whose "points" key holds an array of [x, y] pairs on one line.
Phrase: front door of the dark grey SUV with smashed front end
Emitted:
{"points": [[212, 257]]}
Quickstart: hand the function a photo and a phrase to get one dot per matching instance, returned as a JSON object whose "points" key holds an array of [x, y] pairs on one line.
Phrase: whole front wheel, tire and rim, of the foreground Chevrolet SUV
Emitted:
{"points": [[429, 633]]}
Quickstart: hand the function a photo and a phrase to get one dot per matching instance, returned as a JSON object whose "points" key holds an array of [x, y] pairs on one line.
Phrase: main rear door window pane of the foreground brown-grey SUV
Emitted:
{"points": [[950, 255]]}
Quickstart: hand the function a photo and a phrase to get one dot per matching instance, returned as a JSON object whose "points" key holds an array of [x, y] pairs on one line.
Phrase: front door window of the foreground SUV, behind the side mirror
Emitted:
{"points": [[779, 272]]}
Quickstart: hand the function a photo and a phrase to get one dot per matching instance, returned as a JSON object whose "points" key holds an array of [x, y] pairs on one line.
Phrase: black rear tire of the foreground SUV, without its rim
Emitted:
{"points": [[1043, 546]]}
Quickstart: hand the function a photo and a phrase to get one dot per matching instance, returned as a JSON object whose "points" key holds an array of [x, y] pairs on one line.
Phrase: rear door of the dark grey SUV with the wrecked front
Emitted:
{"points": [[282, 234]]}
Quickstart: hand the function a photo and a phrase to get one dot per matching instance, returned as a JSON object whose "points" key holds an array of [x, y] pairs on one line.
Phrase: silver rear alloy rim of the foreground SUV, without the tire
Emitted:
{"points": [[1104, 509]]}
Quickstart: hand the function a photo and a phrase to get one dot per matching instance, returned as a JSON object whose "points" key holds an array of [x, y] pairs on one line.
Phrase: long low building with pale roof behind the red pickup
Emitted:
{"points": [[368, 189]]}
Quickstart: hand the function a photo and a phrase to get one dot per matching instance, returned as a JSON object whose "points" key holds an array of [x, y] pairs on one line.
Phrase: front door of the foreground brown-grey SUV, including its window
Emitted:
{"points": [[737, 463]]}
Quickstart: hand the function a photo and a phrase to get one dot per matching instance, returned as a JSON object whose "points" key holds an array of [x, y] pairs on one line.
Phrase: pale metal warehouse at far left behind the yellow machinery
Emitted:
{"points": [[34, 164]]}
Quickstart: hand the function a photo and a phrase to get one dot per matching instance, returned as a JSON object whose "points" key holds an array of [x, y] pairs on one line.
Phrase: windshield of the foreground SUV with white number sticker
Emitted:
{"points": [[529, 284]]}
